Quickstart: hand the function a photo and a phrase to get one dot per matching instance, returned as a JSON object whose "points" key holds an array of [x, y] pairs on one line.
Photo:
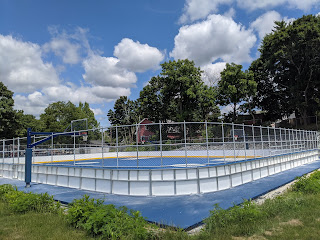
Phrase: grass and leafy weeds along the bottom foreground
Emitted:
{"points": [[293, 215]]}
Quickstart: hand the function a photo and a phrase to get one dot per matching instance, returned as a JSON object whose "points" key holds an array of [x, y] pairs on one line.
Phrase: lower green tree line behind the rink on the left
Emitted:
{"points": [[56, 117]]}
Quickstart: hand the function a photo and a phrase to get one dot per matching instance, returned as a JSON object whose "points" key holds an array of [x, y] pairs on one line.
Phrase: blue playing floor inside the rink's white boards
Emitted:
{"points": [[145, 163]]}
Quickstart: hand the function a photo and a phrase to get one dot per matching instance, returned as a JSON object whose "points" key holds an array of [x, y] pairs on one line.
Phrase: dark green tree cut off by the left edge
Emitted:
{"points": [[8, 116]]}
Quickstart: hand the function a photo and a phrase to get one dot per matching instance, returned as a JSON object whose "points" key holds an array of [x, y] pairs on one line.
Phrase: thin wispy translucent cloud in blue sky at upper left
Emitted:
{"points": [[68, 51]]}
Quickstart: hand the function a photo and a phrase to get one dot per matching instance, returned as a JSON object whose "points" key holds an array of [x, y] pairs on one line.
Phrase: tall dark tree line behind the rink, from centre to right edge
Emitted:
{"points": [[285, 79]]}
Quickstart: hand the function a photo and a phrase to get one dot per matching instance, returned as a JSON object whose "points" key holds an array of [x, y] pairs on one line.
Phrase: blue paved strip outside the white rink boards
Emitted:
{"points": [[182, 211]]}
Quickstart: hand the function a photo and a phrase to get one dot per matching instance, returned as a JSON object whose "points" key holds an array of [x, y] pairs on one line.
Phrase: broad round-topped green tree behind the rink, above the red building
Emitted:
{"points": [[178, 94]]}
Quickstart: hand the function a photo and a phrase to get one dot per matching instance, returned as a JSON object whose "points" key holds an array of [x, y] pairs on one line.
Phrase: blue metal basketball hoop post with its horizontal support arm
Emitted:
{"points": [[28, 155]]}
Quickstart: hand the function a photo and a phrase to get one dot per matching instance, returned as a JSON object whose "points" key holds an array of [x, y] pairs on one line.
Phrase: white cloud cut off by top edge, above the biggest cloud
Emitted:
{"points": [[200, 9]]}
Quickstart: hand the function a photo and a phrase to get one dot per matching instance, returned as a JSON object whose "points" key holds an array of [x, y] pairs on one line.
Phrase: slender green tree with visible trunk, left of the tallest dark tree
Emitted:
{"points": [[235, 87]]}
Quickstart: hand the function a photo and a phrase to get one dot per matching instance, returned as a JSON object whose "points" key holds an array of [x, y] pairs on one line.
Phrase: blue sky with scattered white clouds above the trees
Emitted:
{"points": [[96, 51]]}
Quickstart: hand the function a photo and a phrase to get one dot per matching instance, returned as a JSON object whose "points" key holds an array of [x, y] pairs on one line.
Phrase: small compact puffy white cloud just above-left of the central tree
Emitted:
{"points": [[137, 57]]}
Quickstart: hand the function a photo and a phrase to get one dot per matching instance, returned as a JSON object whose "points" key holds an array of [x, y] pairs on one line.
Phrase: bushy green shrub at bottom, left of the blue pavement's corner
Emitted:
{"points": [[107, 221]]}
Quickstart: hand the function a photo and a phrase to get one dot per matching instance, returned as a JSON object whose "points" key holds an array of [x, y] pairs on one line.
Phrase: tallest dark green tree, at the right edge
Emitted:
{"points": [[288, 69]]}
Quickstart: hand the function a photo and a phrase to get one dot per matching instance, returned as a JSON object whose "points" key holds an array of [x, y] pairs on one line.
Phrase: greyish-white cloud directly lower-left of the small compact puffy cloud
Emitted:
{"points": [[105, 71]]}
